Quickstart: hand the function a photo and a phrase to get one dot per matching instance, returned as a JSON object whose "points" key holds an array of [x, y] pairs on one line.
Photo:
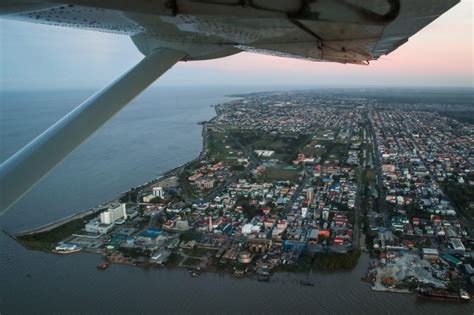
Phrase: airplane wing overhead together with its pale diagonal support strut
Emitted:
{"points": [[168, 31]]}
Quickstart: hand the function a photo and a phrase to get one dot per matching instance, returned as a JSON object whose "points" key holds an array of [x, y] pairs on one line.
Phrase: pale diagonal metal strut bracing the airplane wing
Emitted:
{"points": [[25, 168]]}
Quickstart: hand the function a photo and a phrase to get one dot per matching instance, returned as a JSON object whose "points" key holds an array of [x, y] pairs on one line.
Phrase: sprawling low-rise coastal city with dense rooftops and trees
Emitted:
{"points": [[296, 181]]}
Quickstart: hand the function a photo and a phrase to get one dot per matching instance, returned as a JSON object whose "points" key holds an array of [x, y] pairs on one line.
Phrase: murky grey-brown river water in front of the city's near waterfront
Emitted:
{"points": [[175, 290]]}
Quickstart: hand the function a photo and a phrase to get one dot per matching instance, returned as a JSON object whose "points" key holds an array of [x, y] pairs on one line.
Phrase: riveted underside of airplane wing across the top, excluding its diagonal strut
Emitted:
{"points": [[347, 31]]}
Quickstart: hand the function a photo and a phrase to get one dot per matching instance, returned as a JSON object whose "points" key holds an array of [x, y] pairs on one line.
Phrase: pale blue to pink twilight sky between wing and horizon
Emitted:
{"points": [[47, 57]]}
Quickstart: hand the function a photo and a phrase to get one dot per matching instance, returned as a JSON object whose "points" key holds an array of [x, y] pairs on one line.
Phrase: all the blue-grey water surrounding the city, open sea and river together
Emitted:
{"points": [[156, 132]]}
